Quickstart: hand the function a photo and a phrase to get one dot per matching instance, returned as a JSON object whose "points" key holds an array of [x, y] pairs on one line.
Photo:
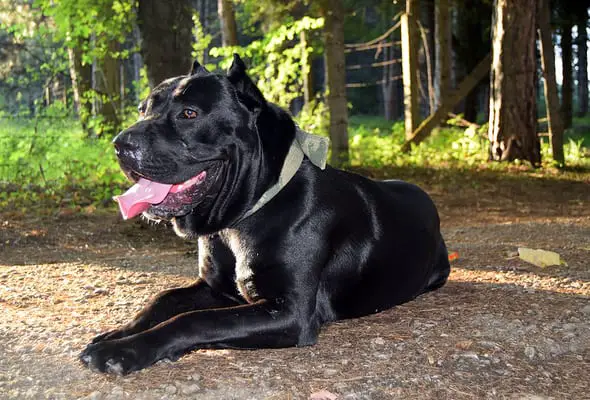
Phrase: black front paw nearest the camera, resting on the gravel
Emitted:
{"points": [[118, 357]]}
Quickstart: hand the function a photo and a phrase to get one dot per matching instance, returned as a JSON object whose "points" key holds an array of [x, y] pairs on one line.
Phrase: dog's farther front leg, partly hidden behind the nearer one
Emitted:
{"points": [[167, 304]]}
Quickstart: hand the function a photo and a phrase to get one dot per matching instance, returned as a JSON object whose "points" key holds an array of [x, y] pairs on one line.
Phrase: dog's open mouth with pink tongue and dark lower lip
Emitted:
{"points": [[161, 198]]}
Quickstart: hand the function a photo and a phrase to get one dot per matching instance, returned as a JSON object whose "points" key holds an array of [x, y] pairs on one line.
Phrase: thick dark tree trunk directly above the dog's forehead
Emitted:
{"points": [[167, 34]]}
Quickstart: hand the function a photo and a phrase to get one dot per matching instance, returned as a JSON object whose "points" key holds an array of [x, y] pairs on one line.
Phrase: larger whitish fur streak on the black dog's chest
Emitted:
{"points": [[244, 254]]}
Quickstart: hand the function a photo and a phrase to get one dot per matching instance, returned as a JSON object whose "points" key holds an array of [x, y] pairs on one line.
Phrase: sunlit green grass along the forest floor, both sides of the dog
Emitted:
{"points": [[51, 160]]}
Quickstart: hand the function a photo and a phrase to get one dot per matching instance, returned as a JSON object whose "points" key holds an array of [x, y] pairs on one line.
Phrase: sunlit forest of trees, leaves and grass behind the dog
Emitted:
{"points": [[437, 84]]}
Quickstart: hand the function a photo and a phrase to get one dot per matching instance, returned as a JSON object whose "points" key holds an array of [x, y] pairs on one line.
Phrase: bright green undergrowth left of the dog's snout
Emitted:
{"points": [[52, 155]]}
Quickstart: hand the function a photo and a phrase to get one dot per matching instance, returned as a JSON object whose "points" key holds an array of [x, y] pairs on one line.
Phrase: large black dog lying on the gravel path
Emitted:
{"points": [[329, 245]]}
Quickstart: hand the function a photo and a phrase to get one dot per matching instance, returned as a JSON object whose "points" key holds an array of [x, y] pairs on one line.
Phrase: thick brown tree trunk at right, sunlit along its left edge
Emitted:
{"points": [[512, 124]]}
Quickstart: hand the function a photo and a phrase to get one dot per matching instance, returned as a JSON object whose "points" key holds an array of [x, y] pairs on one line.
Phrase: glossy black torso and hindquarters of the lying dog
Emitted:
{"points": [[385, 241]]}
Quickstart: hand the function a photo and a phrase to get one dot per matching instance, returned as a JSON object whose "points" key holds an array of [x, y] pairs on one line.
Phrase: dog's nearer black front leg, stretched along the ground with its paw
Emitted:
{"points": [[258, 325]]}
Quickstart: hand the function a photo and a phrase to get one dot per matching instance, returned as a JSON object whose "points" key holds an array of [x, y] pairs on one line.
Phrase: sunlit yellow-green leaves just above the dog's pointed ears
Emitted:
{"points": [[276, 60]]}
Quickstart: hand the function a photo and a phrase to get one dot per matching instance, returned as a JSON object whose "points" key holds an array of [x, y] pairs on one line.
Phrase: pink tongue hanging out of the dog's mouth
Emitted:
{"points": [[139, 197]]}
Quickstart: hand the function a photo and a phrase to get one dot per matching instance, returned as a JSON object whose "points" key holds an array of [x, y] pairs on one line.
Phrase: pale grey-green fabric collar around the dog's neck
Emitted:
{"points": [[314, 147]]}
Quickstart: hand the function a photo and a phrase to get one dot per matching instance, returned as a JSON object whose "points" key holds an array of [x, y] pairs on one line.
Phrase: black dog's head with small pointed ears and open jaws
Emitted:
{"points": [[214, 138]]}
